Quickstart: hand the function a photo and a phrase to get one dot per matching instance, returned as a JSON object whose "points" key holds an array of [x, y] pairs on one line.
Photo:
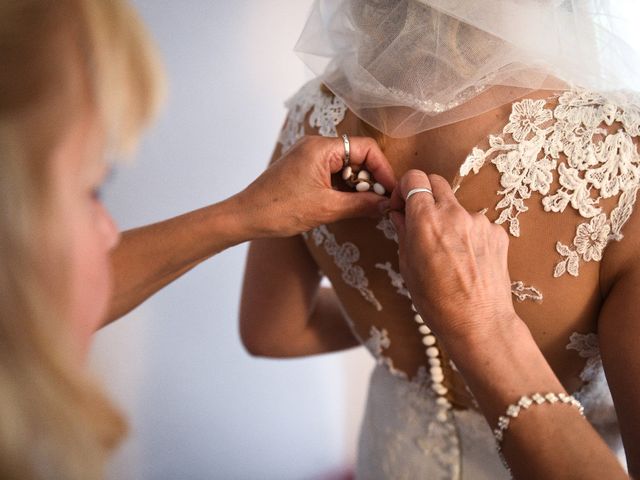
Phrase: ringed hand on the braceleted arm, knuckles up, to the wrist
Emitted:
{"points": [[454, 263]]}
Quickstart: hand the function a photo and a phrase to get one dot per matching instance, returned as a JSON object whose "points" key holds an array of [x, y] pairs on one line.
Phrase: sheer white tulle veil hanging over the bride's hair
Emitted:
{"points": [[428, 63]]}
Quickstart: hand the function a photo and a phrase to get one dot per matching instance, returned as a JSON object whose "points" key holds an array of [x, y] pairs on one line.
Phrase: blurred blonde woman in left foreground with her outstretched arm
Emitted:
{"points": [[79, 79]]}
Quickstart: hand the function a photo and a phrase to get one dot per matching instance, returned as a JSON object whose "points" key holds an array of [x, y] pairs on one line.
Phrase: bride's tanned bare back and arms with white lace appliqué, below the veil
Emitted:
{"points": [[560, 172]]}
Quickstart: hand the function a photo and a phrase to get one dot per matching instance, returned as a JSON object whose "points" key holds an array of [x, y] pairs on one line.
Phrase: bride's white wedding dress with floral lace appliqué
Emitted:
{"points": [[406, 433]]}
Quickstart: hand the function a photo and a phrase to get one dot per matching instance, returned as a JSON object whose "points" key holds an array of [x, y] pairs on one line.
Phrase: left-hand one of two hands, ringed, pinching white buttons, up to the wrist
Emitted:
{"points": [[295, 195]]}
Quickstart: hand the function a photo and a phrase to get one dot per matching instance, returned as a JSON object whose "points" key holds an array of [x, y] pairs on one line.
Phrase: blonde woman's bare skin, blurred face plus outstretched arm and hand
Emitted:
{"points": [[110, 273]]}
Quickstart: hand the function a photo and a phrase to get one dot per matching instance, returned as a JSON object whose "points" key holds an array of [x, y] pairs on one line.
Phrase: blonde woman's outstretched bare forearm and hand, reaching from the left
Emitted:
{"points": [[292, 196]]}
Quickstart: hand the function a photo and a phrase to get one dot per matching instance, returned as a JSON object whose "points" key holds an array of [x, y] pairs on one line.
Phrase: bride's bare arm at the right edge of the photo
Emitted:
{"points": [[619, 336]]}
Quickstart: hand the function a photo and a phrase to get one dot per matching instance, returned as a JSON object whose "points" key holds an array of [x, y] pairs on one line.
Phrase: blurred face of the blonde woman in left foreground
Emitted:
{"points": [[89, 231]]}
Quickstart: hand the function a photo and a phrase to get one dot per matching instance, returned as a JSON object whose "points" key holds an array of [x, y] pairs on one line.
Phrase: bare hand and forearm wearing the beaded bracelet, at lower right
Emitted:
{"points": [[470, 310]]}
